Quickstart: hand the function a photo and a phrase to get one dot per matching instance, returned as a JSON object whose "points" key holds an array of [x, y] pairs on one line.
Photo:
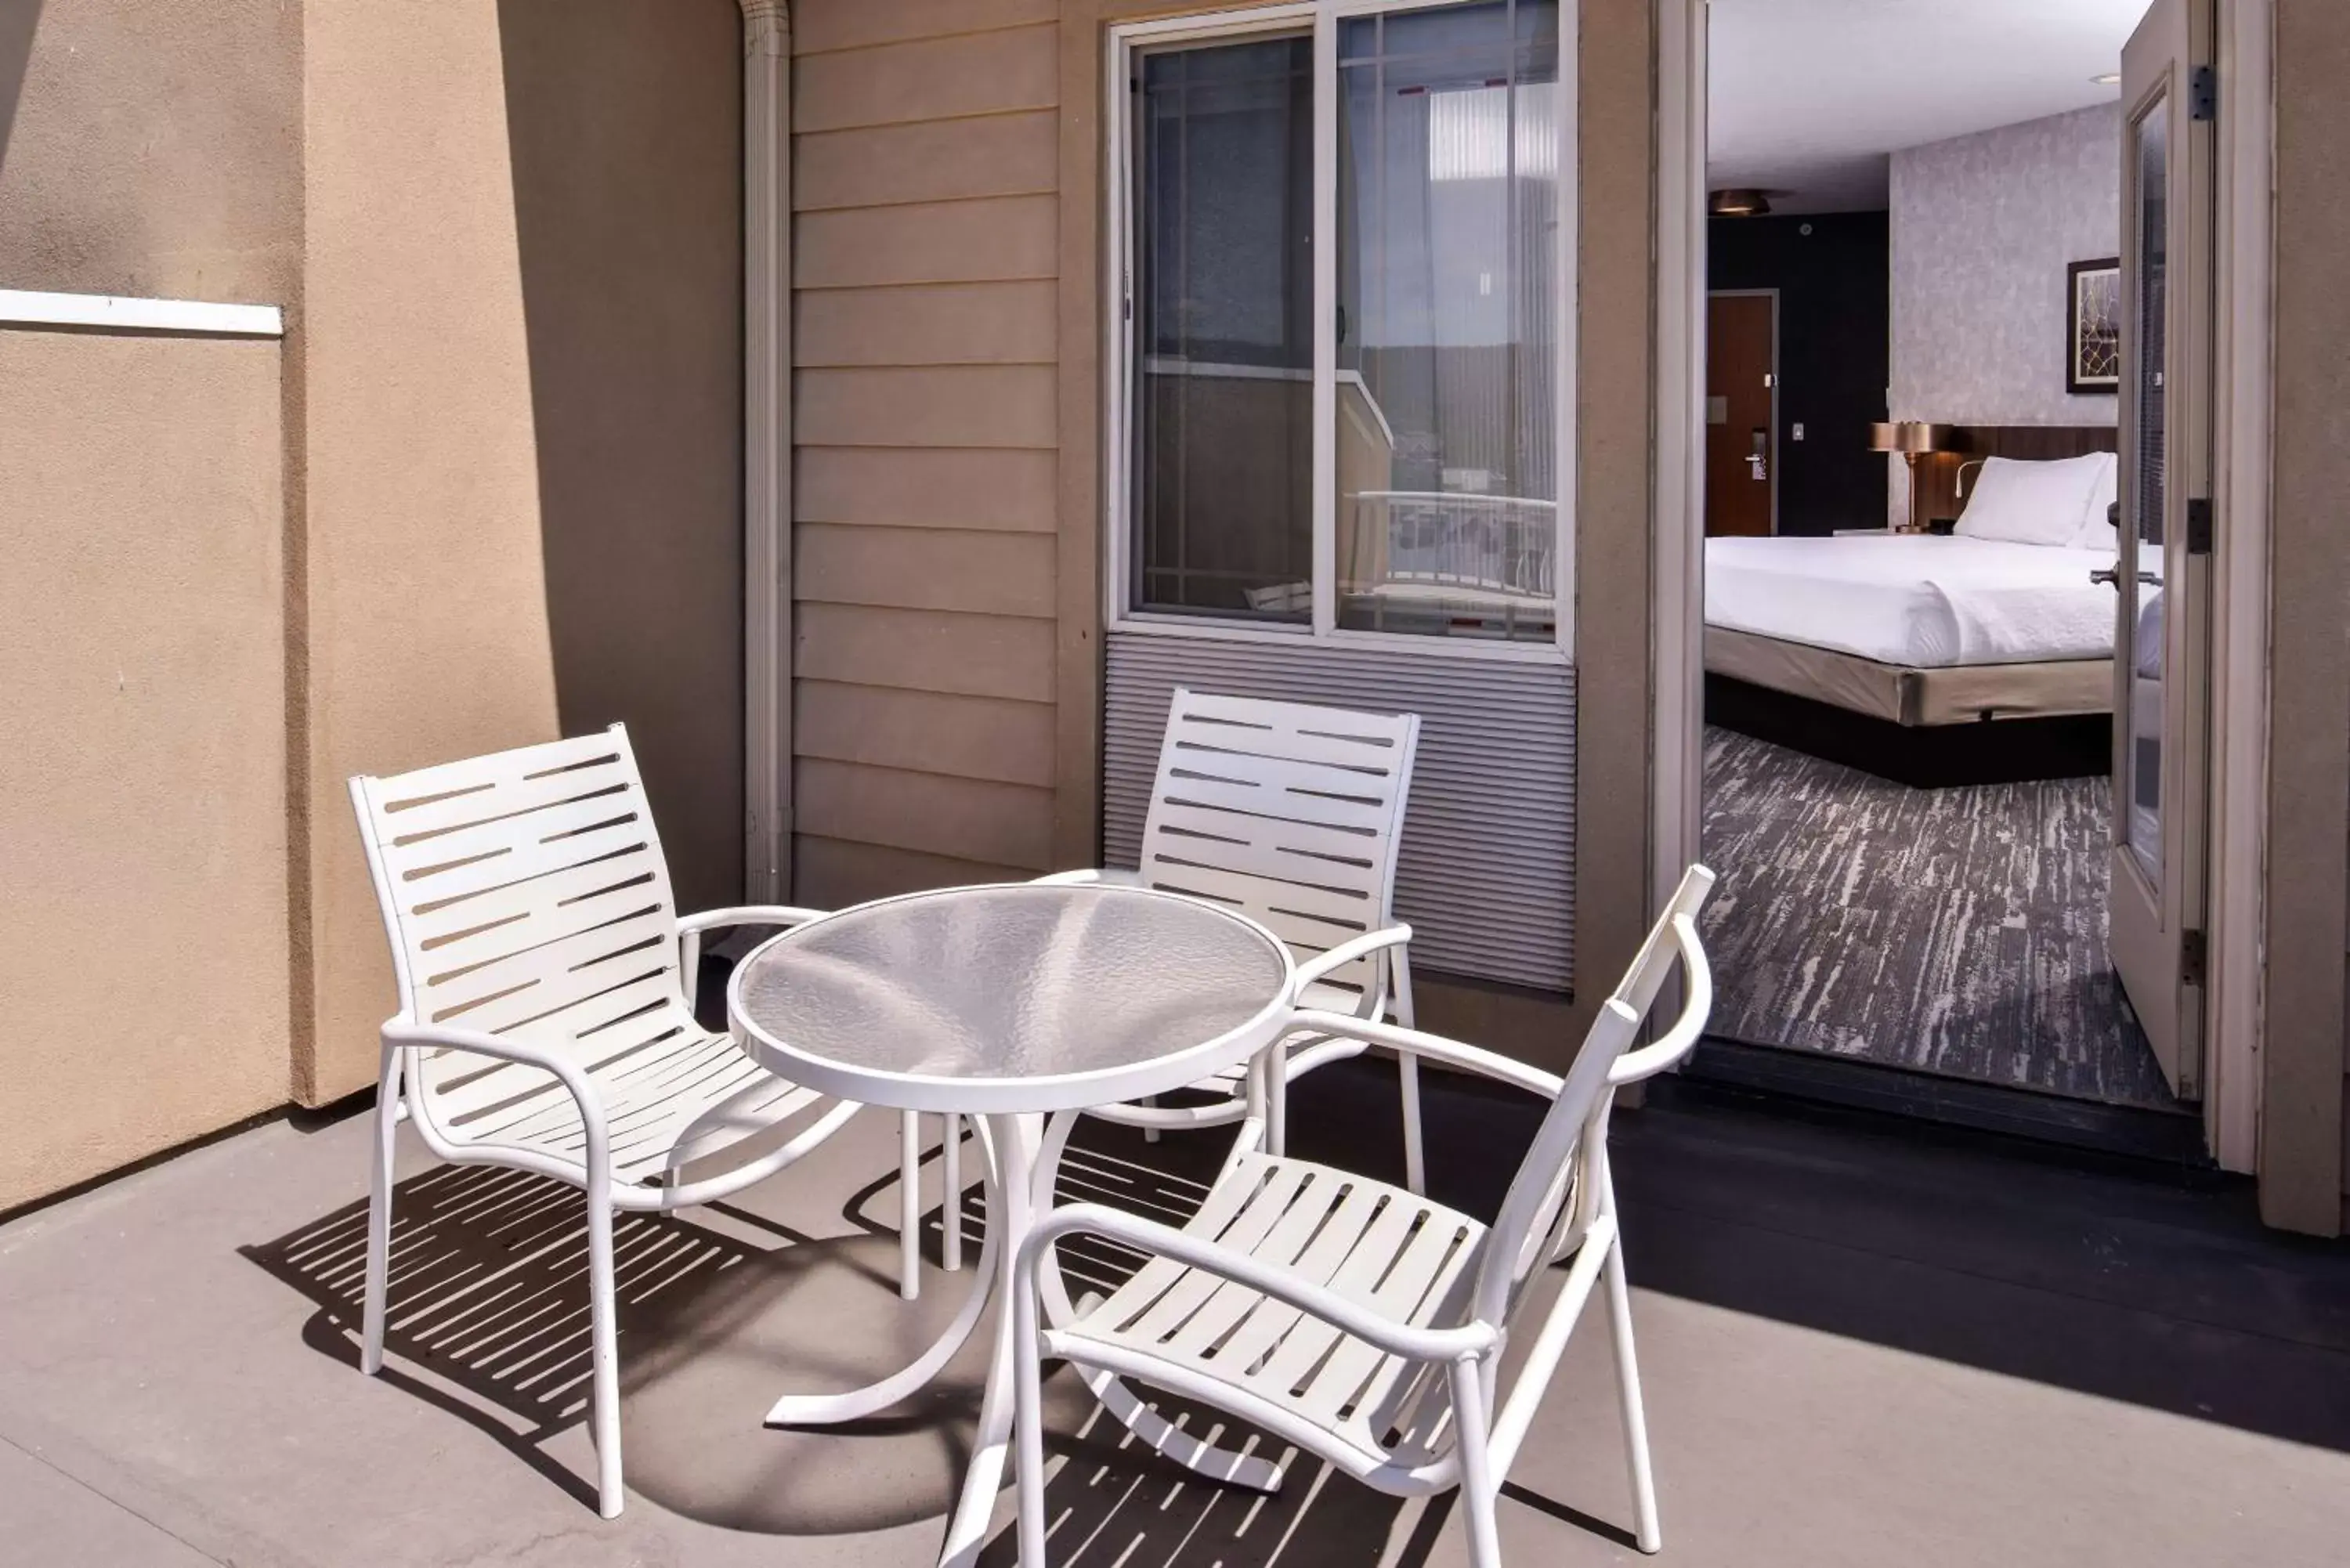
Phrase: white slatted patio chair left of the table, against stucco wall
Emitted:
{"points": [[546, 1014]]}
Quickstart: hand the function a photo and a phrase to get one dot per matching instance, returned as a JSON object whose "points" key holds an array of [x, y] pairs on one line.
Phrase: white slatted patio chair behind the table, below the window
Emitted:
{"points": [[1291, 815]]}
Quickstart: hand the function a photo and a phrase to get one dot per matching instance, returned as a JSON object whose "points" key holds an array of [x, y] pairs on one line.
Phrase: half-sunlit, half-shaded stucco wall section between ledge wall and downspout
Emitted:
{"points": [[521, 427]]}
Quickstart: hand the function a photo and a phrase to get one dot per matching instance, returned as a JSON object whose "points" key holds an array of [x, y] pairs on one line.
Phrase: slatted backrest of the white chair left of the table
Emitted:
{"points": [[528, 897]]}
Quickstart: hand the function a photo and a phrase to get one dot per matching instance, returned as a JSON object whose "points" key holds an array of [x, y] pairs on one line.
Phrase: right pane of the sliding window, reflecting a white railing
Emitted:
{"points": [[1449, 321]]}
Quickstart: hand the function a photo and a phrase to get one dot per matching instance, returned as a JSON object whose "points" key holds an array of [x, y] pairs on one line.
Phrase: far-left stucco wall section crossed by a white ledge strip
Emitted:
{"points": [[145, 149]]}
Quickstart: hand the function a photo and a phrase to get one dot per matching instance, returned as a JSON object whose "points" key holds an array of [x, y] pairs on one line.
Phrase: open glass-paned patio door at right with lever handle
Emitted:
{"points": [[2161, 768]]}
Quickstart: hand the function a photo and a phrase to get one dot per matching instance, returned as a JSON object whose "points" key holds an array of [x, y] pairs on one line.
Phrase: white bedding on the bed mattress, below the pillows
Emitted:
{"points": [[1923, 601]]}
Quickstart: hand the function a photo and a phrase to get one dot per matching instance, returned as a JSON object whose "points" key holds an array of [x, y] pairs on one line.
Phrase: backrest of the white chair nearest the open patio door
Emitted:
{"points": [[1547, 1202]]}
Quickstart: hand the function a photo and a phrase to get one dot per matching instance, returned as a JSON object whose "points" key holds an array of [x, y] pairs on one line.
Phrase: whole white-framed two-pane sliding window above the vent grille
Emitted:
{"points": [[1341, 354]]}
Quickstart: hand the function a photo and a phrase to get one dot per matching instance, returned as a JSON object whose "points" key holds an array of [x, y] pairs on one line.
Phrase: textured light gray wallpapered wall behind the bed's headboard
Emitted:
{"points": [[1982, 229]]}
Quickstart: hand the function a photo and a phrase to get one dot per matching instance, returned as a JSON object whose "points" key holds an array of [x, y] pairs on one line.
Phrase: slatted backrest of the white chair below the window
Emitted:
{"points": [[1284, 812]]}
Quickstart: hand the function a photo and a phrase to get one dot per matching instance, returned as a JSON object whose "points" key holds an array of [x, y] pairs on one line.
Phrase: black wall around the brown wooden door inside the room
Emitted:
{"points": [[1834, 361]]}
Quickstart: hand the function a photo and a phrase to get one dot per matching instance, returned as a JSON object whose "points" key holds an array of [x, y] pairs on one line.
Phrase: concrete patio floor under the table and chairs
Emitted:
{"points": [[1860, 1348]]}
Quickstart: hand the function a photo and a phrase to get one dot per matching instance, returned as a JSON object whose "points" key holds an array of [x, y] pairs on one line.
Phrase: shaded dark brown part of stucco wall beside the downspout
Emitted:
{"points": [[626, 159]]}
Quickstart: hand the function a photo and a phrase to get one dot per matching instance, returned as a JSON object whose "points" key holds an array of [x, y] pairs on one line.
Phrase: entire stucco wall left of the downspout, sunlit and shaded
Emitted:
{"points": [[497, 471]]}
